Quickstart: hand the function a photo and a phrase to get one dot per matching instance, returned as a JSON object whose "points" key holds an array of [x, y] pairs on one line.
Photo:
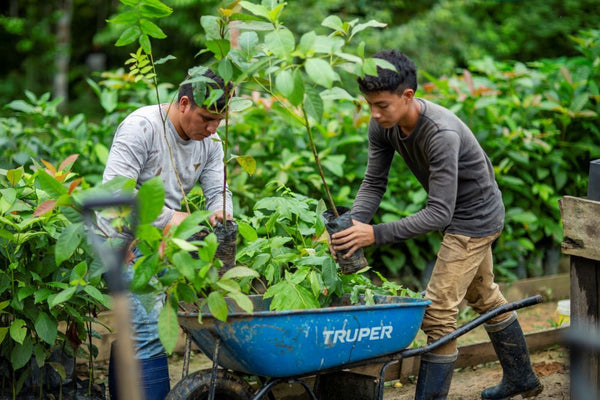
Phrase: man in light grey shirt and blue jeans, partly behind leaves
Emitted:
{"points": [[193, 154]]}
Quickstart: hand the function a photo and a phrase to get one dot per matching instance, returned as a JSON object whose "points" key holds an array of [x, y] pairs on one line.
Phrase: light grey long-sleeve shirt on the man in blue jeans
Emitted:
{"points": [[139, 151]]}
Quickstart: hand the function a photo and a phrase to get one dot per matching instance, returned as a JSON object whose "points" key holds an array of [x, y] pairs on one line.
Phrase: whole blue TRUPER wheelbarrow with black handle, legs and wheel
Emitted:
{"points": [[287, 346]]}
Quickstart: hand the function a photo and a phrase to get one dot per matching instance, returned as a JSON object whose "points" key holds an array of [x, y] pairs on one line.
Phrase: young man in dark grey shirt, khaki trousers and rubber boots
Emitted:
{"points": [[464, 202]]}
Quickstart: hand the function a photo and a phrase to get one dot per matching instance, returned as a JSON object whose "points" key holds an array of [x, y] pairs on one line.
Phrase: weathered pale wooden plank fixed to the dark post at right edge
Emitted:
{"points": [[581, 227]]}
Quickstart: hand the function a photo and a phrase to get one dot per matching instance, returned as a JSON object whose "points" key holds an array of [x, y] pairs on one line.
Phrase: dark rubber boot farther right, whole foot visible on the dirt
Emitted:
{"points": [[518, 377]]}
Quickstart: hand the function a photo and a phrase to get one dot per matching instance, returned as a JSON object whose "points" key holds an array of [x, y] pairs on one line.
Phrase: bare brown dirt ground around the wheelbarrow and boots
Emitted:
{"points": [[551, 365]]}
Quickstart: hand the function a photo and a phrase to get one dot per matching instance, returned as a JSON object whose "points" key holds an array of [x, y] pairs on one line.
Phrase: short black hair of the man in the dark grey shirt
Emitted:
{"points": [[389, 80]]}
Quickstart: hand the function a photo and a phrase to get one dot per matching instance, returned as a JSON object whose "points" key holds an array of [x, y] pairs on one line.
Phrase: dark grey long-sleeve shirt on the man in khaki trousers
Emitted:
{"points": [[445, 157]]}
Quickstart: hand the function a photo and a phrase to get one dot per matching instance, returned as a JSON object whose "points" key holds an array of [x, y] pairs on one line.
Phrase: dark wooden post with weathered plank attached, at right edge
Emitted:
{"points": [[581, 231]]}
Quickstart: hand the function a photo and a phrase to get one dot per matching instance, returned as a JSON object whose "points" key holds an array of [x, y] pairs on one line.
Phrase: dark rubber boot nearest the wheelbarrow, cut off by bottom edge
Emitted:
{"points": [[435, 374]]}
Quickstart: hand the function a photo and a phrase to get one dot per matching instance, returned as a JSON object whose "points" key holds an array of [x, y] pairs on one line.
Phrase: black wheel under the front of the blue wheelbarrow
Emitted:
{"points": [[196, 386]]}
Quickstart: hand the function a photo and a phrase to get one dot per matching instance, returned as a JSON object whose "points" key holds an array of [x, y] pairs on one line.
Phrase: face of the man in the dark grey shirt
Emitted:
{"points": [[388, 108]]}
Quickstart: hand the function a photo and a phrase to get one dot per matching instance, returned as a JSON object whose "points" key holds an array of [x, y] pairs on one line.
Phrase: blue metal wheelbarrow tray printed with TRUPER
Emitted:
{"points": [[300, 342]]}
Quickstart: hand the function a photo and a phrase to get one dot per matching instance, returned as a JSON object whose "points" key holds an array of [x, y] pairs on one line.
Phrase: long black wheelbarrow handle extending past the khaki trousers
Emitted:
{"points": [[508, 307]]}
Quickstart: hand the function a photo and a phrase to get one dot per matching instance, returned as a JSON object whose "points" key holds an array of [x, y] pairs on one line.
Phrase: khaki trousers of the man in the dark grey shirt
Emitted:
{"points": [[464, 269]]}
